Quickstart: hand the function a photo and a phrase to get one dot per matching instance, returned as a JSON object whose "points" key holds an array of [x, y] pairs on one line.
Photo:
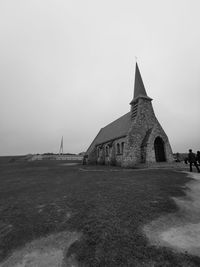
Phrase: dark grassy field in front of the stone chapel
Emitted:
{"points": [[109, 206]]}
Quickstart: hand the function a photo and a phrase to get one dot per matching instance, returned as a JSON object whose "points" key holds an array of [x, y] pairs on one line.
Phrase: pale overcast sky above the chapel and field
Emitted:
{"points": [[67, 69]]}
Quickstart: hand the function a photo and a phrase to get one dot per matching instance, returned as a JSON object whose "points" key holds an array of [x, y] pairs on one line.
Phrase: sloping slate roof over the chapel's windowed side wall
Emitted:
{"points": [[113, 130]]}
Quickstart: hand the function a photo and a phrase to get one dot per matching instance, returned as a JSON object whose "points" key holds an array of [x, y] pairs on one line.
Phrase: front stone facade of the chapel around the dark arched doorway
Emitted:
{"points": [[141, 136]]}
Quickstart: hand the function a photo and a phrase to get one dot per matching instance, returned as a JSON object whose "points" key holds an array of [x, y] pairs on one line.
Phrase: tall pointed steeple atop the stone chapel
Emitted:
{"points": [[139, 89]]}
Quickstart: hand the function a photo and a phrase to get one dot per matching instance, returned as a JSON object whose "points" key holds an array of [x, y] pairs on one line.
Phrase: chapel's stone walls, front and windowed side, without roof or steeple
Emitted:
{"points": [[138, 145]]}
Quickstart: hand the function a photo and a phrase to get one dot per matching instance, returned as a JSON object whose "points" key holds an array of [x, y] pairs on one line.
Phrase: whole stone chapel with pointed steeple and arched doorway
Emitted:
{"points": [[136, 137]]}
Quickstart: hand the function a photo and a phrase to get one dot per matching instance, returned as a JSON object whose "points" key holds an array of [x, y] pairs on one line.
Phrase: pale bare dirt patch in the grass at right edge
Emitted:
{"points": [[180, 231]]}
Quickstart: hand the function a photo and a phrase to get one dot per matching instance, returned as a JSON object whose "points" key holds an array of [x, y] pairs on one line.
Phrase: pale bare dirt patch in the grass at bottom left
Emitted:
{"points": [[49, 251]]}
